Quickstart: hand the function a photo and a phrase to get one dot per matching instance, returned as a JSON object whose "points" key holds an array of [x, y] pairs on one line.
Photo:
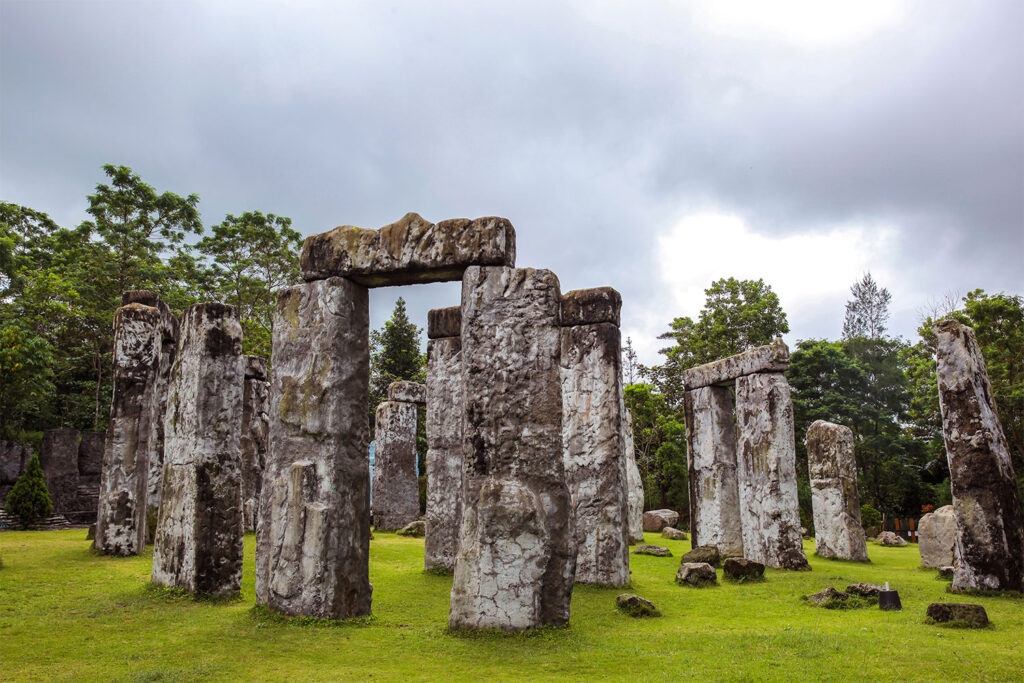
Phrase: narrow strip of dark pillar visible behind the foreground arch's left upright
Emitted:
{"points": [[255, 428]]}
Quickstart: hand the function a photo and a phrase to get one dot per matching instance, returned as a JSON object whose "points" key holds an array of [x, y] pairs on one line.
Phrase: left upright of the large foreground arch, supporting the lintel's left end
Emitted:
{"points": [[314, 536]]}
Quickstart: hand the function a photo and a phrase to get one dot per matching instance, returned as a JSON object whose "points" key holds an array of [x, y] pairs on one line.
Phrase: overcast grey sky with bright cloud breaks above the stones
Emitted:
{"points": [[654, 147]]}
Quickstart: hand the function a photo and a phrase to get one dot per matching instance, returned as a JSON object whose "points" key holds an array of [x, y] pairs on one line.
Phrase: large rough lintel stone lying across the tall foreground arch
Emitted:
{"points": [[409, 251]]}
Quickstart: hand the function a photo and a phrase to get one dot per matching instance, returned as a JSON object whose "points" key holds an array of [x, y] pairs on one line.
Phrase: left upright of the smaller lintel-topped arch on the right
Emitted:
{"points": [[711, 436]]}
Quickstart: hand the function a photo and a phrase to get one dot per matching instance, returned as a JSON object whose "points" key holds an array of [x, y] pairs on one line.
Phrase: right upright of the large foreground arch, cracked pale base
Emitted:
{"points": [[517, 561]]}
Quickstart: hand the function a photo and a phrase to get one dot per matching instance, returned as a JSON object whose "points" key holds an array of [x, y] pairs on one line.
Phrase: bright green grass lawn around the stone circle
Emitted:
{"points": [[67, 614]]}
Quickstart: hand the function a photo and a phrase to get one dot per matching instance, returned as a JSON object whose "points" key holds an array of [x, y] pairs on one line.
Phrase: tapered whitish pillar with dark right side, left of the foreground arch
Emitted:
{"points": [[198, 546]]}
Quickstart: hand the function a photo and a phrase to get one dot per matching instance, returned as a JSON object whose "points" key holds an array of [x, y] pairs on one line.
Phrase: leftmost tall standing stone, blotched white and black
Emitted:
{"points": [[124, 484]]}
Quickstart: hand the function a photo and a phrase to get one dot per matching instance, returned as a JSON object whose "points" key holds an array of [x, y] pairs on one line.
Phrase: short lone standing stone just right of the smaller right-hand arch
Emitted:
{"points": [[833, 469]]}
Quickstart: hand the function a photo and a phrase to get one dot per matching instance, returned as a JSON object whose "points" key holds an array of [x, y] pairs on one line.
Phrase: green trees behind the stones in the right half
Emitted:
{"points": [[884, 389]]}
